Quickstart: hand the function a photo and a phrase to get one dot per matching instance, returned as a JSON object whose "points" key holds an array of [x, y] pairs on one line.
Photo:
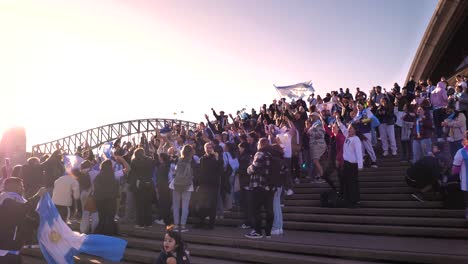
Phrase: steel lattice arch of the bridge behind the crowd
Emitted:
{"points": [[100, 135]]}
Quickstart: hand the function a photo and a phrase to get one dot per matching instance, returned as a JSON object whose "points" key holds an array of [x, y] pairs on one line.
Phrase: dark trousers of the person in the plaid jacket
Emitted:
{"points": [[263, 198]]}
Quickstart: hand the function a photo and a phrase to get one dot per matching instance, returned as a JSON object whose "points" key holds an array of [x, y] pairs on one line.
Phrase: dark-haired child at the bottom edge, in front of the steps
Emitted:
{"points": [[174, 251]]}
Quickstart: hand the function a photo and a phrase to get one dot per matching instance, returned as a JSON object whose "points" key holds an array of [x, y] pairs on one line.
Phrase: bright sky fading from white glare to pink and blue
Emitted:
{"points": [[67, 66]]}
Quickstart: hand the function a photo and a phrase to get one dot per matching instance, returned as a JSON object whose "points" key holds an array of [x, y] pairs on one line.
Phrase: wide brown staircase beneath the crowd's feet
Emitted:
{"points": [[389, 227]]}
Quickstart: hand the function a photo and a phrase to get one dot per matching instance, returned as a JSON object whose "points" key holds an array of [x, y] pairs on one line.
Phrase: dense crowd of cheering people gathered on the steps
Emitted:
{"points": [[250, 161]]}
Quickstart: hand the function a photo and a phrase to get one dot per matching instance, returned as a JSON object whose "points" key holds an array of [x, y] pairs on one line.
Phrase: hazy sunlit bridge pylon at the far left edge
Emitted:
{"points": [[13, 146]]}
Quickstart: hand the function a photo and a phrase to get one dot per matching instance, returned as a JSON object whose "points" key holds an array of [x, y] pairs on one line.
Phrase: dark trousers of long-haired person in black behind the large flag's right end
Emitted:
{"points": [[106, 210]]}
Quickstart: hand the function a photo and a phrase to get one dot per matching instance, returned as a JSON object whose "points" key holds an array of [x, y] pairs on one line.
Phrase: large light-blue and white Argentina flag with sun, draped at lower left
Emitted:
{"points": [[59, 244]]}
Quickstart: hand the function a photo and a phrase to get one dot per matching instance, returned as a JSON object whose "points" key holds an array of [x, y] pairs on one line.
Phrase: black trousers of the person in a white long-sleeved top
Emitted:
{"points": [[350, 188]]}
